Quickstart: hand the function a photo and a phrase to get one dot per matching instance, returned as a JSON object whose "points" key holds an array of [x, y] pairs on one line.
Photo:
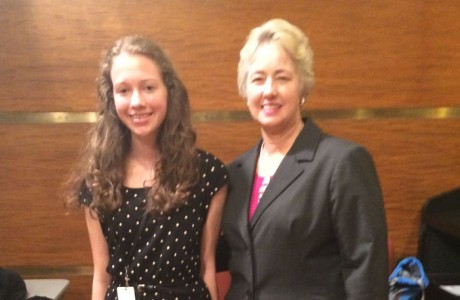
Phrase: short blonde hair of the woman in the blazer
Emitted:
{"points": [[288, 36]]}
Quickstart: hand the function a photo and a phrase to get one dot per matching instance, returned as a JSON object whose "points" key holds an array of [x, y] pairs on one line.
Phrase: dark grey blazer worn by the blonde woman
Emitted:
{"points": [[319, 231]]}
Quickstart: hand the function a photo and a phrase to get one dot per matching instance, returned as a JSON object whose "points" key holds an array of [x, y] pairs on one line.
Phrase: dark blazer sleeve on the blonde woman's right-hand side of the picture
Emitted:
{"points": [[359, 222]]}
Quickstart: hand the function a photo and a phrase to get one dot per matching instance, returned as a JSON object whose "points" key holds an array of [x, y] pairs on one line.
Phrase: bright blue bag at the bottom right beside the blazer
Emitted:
{"points": [[408, 280]]}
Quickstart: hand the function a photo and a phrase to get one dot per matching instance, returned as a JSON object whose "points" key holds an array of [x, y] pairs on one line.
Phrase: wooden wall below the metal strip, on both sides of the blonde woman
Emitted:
{"points": [[415, 159]]}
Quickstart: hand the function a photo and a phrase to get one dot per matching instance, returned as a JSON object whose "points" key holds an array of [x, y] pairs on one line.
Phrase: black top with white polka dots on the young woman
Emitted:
{"points": [[167, 255]]}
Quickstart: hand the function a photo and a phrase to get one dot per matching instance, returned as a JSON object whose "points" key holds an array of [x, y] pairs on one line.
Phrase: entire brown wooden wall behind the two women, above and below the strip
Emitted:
{"points": [[386, 54]]}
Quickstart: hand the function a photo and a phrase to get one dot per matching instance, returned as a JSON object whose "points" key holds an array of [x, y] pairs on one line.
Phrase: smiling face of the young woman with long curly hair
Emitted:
{"points": [[140, 94]]}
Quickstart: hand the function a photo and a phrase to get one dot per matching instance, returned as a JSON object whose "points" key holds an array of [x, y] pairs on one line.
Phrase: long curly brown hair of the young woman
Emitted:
{"points": [[101, 168]]}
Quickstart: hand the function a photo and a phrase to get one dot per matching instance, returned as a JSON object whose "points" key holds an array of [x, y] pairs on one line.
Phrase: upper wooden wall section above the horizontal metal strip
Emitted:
{"points": [[368, 53]]}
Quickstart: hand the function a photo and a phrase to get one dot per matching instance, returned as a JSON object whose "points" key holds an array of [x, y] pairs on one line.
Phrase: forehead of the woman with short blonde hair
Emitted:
{"points": [[271, 57]]}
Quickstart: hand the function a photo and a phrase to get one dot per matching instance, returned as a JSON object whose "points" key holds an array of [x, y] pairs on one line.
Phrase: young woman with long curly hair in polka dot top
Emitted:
{"points": [[153, 201]]}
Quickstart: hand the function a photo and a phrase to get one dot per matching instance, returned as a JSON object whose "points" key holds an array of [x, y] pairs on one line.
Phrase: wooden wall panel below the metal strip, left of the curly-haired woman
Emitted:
{"points": [[35, 229]]}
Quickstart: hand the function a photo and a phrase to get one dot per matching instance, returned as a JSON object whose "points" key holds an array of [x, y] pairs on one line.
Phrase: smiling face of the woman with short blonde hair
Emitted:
{"points": [[273, 89]]}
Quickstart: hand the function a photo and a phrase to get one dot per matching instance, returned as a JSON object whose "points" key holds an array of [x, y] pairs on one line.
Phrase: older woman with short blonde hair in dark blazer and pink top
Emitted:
{"points": [[304, 218]]}
